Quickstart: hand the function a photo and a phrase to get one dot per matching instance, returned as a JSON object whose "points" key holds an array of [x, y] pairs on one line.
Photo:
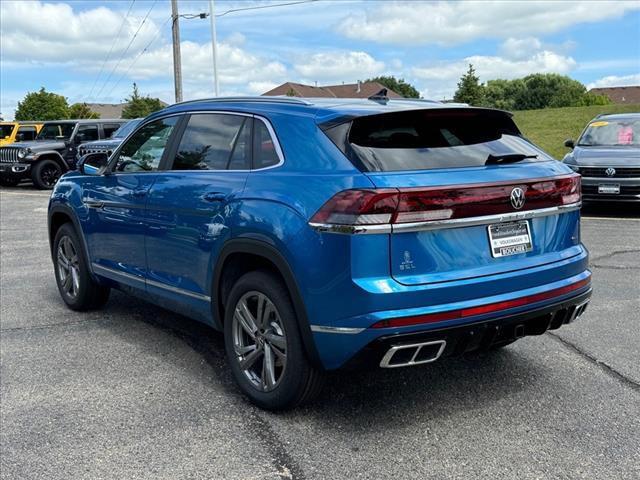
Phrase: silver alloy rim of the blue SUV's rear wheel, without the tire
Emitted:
{"points": [[259, 341]]}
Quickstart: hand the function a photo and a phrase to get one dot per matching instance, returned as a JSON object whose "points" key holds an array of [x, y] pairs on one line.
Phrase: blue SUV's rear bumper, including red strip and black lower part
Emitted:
{"points": [[483, 322]]}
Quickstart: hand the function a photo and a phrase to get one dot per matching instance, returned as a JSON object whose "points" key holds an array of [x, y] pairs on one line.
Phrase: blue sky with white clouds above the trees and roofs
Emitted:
{"points": [[92, 51]]}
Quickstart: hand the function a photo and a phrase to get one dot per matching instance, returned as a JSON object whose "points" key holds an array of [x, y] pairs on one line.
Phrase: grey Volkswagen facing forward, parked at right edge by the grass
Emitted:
{"points": [[607, 155]]}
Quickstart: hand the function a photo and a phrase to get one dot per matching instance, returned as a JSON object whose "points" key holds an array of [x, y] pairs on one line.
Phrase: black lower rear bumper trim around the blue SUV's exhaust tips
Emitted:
{"points": [[477, 336]]}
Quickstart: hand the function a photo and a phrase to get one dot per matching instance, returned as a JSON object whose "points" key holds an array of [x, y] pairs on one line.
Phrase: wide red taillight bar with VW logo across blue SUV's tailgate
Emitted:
{"points": [[419, 205]]}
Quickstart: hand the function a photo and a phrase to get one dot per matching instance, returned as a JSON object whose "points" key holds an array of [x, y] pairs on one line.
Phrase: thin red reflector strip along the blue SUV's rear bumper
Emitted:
{"points": [[481, 309]]}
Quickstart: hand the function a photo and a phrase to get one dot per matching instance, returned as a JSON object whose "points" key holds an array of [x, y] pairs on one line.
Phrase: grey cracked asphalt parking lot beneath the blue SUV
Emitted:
{"points": [[135, 391]]}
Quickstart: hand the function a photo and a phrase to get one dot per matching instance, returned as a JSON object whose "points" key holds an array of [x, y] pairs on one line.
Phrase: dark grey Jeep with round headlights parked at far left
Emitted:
{"points": [[53, 151]]}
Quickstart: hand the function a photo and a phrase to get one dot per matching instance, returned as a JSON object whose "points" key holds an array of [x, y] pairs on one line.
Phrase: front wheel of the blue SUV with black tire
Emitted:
{"points": [[87, 294]]}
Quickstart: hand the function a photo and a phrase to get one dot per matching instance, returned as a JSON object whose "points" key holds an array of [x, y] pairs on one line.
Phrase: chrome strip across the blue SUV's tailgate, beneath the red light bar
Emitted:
{"points": [[439, 224]]}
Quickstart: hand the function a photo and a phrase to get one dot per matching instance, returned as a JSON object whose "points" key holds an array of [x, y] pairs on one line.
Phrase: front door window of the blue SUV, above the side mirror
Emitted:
{"points": [[143, 151]]}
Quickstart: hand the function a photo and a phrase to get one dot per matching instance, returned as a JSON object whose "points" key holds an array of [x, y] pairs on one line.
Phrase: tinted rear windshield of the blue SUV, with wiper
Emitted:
{"points": [[432, 139]]}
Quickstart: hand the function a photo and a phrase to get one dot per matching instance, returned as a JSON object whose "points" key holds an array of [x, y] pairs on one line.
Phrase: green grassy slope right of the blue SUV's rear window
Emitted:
{"points": [[550, 127]]}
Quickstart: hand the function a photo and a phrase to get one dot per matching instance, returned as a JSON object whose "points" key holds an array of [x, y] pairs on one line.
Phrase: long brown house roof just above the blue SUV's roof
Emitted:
{"points": [[347, 90]]}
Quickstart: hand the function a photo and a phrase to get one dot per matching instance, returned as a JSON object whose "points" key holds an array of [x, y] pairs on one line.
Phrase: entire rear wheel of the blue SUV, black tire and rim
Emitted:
{"points": [[263, 344]]}
